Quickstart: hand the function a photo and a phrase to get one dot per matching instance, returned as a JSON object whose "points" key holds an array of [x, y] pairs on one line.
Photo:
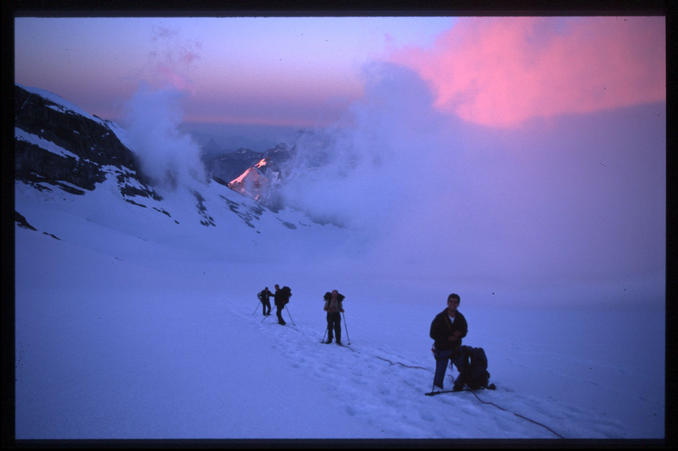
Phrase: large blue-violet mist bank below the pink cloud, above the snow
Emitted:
{"points": [[577, 220]]}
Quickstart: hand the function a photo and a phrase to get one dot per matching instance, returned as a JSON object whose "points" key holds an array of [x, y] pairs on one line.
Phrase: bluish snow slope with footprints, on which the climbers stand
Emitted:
{"points": [[130, 325]]}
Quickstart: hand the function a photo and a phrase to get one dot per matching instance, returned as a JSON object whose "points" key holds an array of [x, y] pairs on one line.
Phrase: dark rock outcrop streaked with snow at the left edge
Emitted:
{"points": [[55, 146]]}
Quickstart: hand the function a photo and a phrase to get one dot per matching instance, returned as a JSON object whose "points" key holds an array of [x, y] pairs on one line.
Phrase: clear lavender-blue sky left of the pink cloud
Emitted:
{"points": [[275, 71]]}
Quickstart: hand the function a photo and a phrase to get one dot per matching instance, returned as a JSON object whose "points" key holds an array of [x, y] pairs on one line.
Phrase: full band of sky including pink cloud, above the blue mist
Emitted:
{"points": [[303, 71]]}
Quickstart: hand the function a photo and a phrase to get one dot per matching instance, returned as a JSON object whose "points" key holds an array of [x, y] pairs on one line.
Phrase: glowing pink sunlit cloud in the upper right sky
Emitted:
{"points": [[503, 71]]}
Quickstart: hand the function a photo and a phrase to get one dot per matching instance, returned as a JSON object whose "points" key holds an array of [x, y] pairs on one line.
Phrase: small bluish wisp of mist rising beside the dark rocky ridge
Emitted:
{"points": [[169, 156]]}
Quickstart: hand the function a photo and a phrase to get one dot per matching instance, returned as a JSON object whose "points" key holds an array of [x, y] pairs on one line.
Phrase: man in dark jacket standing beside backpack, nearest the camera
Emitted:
{"points": [[447, 330]]}
